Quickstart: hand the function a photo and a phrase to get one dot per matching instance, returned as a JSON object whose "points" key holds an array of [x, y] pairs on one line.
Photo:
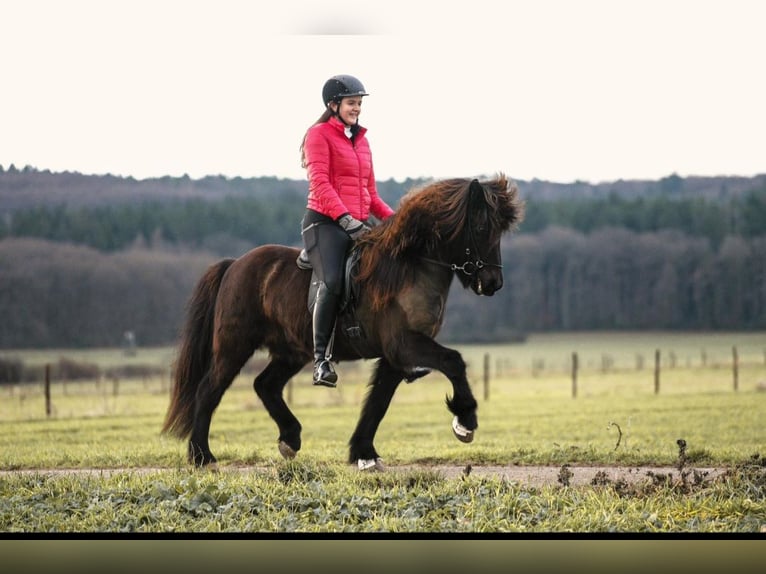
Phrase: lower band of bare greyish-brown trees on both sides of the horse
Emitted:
{"points": [[63, 295]]}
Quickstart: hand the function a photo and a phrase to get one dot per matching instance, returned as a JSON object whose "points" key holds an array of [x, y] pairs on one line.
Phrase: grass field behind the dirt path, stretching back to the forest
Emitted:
{"points": [[527, 414]]}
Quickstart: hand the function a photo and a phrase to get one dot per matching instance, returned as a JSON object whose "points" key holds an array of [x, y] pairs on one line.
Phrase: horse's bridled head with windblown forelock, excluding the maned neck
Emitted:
{"points": [[489, 209]]}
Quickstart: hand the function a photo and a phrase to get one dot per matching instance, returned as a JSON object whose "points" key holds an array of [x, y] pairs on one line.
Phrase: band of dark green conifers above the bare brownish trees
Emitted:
{"points": [[231, 224]]}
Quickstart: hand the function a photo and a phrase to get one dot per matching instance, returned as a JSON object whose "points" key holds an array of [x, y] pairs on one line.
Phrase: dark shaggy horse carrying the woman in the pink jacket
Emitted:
{"points": [[450, 228]]}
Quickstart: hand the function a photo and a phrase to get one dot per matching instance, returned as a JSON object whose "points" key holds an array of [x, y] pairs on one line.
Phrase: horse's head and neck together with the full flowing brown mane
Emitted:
{"points": [[456, 224]]}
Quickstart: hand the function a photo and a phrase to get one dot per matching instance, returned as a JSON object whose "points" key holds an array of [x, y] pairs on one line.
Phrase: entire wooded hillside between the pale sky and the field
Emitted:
{"points": [[85, 258]]}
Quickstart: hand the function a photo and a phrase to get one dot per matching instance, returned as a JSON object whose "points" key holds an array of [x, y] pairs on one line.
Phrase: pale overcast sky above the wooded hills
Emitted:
{"points": [[551, 89]]}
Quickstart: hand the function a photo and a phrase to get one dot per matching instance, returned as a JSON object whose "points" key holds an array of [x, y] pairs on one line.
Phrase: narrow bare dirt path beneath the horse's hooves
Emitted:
{"points": [[529, 475]]}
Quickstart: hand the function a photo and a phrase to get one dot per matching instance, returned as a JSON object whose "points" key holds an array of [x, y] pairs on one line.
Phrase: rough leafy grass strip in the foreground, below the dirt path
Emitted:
{"points": [[316, 498]]}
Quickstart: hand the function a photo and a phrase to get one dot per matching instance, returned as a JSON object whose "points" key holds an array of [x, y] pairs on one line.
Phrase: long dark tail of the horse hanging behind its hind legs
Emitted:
{"points": [[195, 352]]}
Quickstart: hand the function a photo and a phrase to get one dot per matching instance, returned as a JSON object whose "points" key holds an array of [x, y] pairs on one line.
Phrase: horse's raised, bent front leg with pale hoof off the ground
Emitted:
{"points": [[423, 351]]}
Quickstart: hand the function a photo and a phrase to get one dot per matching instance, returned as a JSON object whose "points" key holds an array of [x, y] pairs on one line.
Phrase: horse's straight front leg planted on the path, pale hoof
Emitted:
{"points": [[383, 385]]}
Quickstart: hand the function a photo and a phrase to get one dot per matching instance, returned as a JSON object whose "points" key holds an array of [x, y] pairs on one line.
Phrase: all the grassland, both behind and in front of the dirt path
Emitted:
{"points": [[528, 417]]}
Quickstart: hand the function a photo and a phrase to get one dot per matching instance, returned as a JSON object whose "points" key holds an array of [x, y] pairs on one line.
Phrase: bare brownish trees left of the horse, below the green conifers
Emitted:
{"points": [[62, 295]]}
